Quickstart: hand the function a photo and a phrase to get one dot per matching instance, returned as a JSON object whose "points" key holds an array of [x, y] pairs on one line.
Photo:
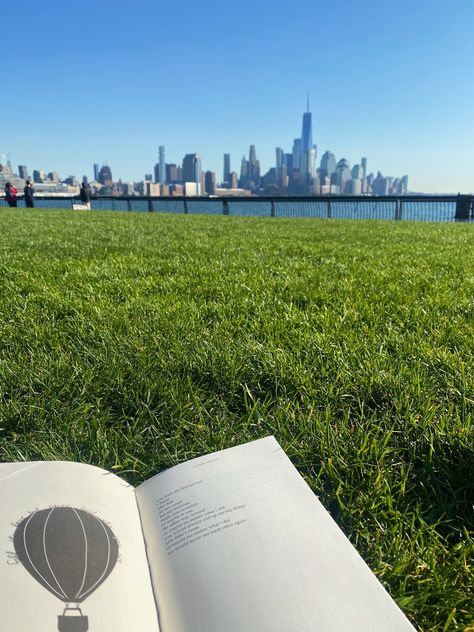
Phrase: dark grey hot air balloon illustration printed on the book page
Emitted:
{"points": [[70, 552]]}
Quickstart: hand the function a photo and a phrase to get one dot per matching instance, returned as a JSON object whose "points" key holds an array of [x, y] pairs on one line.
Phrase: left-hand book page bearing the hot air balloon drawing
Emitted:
{"points": [[72, 555]]}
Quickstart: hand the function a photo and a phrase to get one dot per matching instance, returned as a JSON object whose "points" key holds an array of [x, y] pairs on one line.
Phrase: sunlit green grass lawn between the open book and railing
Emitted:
{"points": [[136, 341]]}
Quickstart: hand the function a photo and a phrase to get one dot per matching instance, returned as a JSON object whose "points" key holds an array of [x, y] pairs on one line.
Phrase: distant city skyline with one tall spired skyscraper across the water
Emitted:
{"points": [[294, 173]]}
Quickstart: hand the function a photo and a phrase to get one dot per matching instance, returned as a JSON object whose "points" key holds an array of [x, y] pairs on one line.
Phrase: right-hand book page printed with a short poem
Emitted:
{"points": [[238, 542]]}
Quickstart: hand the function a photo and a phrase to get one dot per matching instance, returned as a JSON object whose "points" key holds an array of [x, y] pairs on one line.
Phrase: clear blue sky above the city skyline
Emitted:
{"points": [[110, 80]]}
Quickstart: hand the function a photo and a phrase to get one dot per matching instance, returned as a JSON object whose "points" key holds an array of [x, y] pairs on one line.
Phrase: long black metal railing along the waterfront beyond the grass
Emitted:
{"points": [[407, 208]]}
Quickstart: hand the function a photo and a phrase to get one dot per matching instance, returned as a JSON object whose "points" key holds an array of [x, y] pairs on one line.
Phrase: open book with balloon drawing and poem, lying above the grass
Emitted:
{"points": [[230, 542]]}
